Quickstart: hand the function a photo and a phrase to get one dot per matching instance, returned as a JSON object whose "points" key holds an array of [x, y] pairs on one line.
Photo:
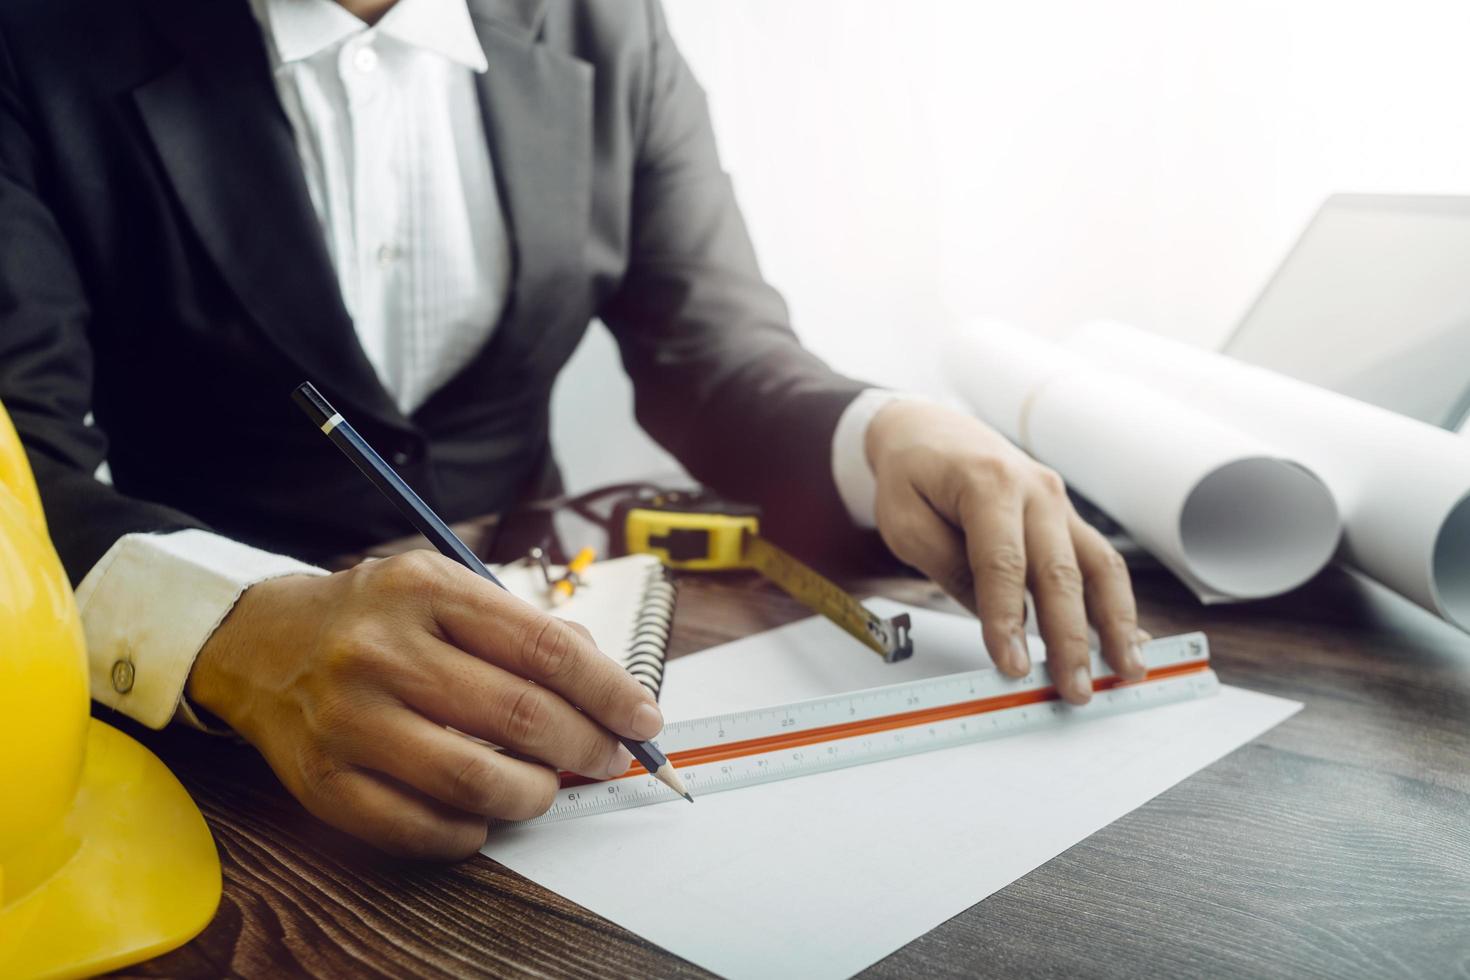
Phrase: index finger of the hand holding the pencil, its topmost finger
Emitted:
{"points": [[503, 631]]}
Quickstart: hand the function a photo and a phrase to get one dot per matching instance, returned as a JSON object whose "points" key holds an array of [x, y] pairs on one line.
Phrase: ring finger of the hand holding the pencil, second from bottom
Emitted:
{"points": [[455, 771]]}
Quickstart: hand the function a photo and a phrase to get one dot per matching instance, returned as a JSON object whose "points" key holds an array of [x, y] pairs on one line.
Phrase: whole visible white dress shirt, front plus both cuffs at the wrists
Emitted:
{"points": [[393, 148]]}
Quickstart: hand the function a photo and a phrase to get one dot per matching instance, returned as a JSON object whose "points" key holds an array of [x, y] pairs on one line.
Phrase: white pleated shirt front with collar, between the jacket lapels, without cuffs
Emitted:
{"points": [[393, 145]]}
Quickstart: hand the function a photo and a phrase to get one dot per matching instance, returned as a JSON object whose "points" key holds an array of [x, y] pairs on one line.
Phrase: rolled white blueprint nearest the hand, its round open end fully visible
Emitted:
{"points": [[1224, 511]]}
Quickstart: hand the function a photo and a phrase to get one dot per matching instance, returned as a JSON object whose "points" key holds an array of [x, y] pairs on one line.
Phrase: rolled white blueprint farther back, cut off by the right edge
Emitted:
{"points": [[1403, 486]]}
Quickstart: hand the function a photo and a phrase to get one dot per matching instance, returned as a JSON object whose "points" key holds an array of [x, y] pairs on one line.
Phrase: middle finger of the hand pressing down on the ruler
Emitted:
{"points": [[1056, 583]]}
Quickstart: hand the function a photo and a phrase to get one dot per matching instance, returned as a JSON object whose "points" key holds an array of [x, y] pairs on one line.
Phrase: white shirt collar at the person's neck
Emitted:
{"points": [[302, 29]]}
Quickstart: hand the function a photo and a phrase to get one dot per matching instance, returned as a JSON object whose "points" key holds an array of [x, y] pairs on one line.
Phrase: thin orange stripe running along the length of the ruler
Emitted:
{"points": [[886, 724]]}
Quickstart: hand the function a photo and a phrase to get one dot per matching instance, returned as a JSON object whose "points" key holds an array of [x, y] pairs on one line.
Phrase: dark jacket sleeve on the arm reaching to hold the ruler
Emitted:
{"points": [[720, 378]]}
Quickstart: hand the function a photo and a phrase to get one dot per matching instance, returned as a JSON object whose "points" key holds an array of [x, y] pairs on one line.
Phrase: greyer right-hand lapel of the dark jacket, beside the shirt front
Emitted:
{"points": [[539, 118]]}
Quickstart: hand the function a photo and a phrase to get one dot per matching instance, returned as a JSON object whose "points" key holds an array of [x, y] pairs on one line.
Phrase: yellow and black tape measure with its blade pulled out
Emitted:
{"points": [[702, 534]]}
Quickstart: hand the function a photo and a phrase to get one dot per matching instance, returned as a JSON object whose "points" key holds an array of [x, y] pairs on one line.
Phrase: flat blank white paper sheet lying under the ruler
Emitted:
{"points": [[825, 875]]}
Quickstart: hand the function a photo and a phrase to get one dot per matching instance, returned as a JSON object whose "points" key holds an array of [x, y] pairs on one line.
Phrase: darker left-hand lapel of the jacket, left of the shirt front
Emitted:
{"points": [[227, 146]]}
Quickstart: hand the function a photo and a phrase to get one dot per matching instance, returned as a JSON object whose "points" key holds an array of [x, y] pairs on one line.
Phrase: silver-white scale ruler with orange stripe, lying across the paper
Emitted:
{"points": [[747, 749]]}
